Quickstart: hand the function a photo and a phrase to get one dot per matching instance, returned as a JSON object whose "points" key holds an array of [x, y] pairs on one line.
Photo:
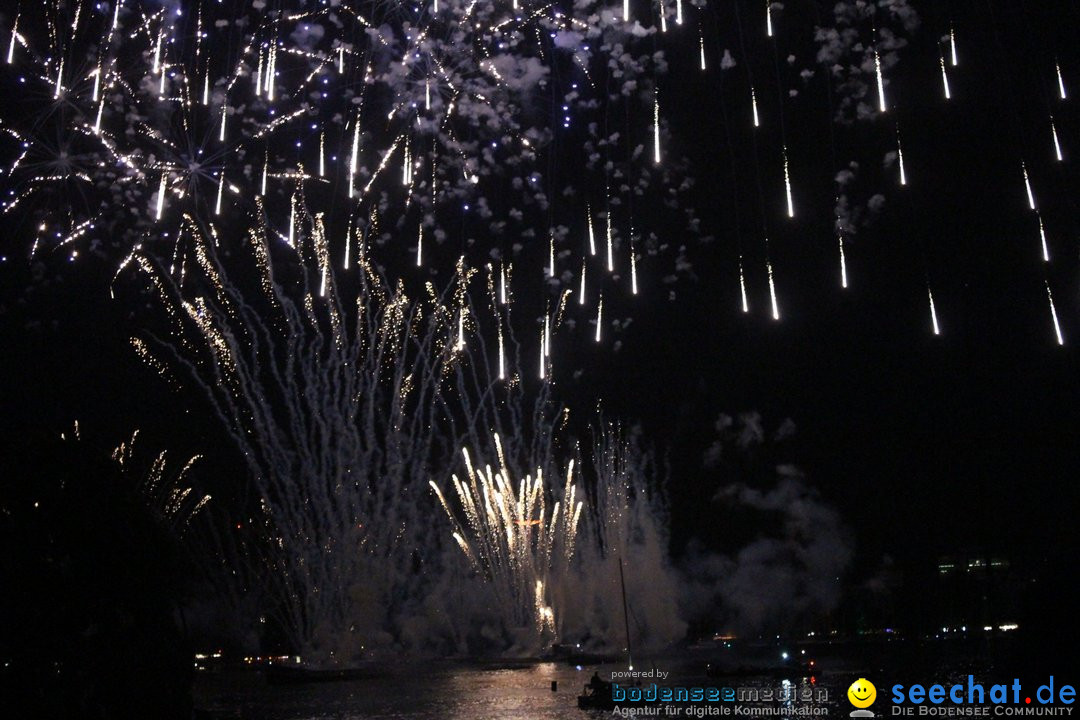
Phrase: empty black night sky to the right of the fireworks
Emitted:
{"points": [[929, 445]]}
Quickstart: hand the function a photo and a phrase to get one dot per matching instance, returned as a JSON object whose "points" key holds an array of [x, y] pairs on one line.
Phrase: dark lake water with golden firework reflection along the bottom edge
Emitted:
{"points": [[458, 692]]}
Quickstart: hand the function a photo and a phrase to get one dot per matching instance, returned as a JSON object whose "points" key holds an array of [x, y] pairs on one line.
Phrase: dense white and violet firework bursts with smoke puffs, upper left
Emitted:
{"points": [[139, 115]]}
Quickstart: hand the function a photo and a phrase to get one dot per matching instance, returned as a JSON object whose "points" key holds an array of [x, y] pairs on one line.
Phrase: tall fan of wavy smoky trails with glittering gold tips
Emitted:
{"points": [[328, 399]]}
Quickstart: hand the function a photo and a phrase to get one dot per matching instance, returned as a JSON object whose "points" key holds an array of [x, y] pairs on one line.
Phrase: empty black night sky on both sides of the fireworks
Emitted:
{"points": [[927, 445]]}
